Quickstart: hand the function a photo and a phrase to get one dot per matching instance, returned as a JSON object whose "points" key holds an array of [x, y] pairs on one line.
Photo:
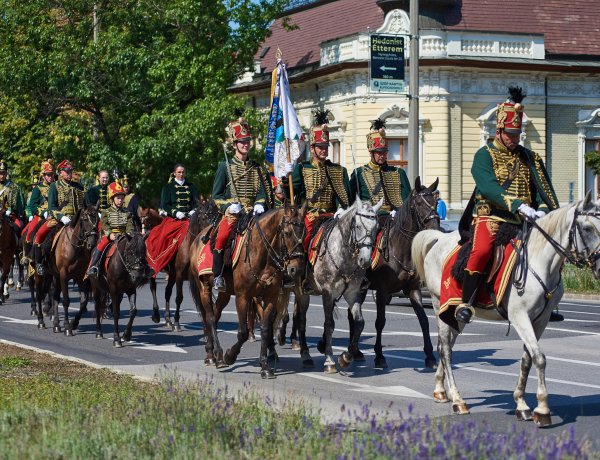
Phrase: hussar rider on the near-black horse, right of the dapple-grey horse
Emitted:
{"points": [[377, 179]]}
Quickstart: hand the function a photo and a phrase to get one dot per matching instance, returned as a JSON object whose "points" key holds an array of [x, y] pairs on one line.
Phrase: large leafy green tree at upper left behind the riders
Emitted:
{"points": [[148, 92]]}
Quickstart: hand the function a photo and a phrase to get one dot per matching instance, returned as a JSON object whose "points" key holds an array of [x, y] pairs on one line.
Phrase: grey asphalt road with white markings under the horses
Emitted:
{"points": [[486, 361]]}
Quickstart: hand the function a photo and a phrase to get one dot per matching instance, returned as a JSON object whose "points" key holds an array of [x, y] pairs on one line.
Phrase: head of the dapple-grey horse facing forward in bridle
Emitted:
{"points": [[362, 219]]}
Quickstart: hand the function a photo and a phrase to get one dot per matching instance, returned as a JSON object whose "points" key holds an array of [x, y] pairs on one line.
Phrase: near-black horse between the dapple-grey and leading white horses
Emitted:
{"points": [[395, 272]]}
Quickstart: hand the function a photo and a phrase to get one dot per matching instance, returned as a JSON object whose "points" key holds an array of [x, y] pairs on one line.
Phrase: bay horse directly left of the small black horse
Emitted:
{"points": [[69, 260]]}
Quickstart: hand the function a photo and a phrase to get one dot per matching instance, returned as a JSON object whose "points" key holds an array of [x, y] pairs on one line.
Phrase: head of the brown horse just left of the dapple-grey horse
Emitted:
{"points": [[293, 230]]}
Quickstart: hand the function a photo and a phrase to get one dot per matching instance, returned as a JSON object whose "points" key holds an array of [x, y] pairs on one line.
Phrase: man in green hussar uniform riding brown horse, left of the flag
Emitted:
{"points": [[239, 188]]}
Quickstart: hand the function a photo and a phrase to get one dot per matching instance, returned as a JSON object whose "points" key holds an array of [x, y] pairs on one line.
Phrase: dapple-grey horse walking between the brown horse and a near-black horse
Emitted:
{"points": [[339, 270]]}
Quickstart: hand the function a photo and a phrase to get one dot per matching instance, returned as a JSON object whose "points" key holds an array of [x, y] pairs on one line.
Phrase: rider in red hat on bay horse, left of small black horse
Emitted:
{"points": [[65, 198]]}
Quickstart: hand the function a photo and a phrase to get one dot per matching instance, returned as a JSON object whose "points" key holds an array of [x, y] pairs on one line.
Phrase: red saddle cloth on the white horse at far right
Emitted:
{"points": [[451, 290]]}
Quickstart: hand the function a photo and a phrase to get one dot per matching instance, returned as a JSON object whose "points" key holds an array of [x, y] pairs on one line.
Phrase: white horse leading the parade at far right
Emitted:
{"points": [[570, 233]]}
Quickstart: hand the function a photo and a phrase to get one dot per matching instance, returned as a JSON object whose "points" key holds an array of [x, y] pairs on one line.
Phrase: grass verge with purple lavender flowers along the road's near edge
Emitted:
{"points": [[54, 409]]}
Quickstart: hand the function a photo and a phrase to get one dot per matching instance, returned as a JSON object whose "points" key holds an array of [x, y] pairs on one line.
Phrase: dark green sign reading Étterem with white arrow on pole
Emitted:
{"points": [[387, 63]]}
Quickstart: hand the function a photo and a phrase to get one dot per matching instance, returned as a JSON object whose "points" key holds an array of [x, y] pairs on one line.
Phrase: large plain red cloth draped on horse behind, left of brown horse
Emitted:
{"points": [[164, 241]]}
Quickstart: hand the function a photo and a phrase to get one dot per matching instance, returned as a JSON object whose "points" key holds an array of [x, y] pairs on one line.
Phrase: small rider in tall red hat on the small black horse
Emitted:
{"points": [[116, 221]]}
